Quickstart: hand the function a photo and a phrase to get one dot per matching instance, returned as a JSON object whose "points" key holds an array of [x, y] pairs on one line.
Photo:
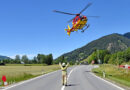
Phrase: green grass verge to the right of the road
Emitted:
{"points": [[114, 73]]}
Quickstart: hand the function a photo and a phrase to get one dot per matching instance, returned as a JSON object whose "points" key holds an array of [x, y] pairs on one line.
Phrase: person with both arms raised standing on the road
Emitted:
{"points": [[64, 67]]}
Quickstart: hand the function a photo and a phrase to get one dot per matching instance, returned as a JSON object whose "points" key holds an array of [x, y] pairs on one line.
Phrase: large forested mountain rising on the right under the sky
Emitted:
{"points": [[113, 43]]}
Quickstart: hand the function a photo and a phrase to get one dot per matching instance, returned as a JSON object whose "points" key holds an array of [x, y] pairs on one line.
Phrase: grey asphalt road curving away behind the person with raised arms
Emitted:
{"points": [[79, 78]]}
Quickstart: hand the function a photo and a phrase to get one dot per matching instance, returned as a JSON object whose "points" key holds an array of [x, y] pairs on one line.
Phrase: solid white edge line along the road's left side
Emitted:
{"points": [[17, 84]]}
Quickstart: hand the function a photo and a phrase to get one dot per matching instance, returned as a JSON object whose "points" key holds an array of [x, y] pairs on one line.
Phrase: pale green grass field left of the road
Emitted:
{"points": [[16, 73]]}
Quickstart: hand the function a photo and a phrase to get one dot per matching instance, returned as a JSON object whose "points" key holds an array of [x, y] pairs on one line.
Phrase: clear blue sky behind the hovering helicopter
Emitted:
{"points": [[30, 27]]}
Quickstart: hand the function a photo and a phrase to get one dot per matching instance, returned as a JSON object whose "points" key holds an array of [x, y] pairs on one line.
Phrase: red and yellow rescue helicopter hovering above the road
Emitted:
{"points": [[79, 22]]}
